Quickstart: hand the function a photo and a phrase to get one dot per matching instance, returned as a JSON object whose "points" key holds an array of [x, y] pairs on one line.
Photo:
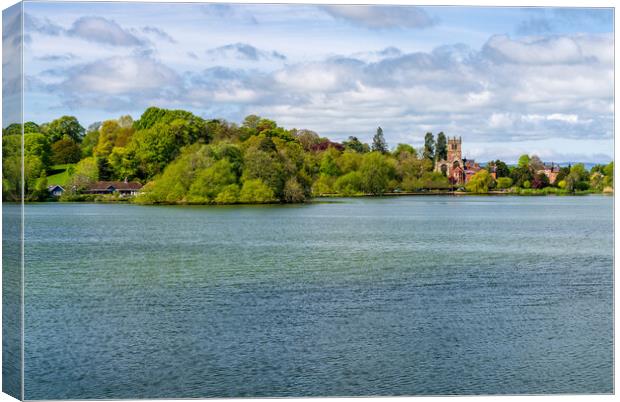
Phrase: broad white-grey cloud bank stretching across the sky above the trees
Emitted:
{"points": [[524, 89]]}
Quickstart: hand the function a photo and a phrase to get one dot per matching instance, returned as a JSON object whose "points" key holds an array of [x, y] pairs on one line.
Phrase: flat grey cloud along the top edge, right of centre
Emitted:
{"points": [[382, 17]]}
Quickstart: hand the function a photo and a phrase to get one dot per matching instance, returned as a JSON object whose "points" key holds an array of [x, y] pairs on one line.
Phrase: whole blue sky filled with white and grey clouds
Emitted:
{"points": [[506, 80]]}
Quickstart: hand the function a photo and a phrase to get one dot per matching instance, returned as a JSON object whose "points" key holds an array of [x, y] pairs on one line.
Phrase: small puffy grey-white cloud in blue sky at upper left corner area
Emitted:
{"points": [[102, 30]]}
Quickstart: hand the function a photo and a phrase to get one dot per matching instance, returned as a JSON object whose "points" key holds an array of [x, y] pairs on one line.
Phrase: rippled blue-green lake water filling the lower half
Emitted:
{"points": [[373, 296]]}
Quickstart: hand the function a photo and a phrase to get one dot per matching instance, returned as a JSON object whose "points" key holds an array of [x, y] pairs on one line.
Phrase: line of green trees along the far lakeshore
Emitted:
{"points": [[183, 158]]}
